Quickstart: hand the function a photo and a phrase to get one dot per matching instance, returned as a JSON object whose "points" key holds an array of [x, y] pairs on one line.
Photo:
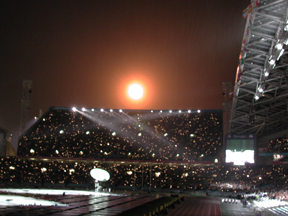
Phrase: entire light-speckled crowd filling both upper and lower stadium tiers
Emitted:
{"points": [[78, 139]]}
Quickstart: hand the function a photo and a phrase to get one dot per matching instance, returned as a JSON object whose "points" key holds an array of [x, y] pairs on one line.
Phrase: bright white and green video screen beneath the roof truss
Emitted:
{"points": [[240, 149]]}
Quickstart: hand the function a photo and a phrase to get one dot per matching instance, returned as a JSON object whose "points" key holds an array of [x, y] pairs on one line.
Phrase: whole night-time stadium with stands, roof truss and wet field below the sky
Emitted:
{"points": [[231, 161]]}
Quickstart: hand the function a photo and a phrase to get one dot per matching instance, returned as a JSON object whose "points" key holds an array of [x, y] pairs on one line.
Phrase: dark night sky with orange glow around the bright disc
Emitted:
{"points": [[85, 53]]}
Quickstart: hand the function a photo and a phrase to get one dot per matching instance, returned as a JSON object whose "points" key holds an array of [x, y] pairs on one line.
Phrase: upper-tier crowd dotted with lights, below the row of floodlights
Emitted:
{"points": [[175, 135]]}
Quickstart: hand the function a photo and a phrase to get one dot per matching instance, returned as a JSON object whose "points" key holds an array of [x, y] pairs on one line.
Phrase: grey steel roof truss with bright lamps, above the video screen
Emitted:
{"points": [[260, 103]]}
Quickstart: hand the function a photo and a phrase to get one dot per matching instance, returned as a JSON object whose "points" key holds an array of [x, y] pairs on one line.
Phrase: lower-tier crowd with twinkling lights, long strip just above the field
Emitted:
{"points": [[43, 172]]}
